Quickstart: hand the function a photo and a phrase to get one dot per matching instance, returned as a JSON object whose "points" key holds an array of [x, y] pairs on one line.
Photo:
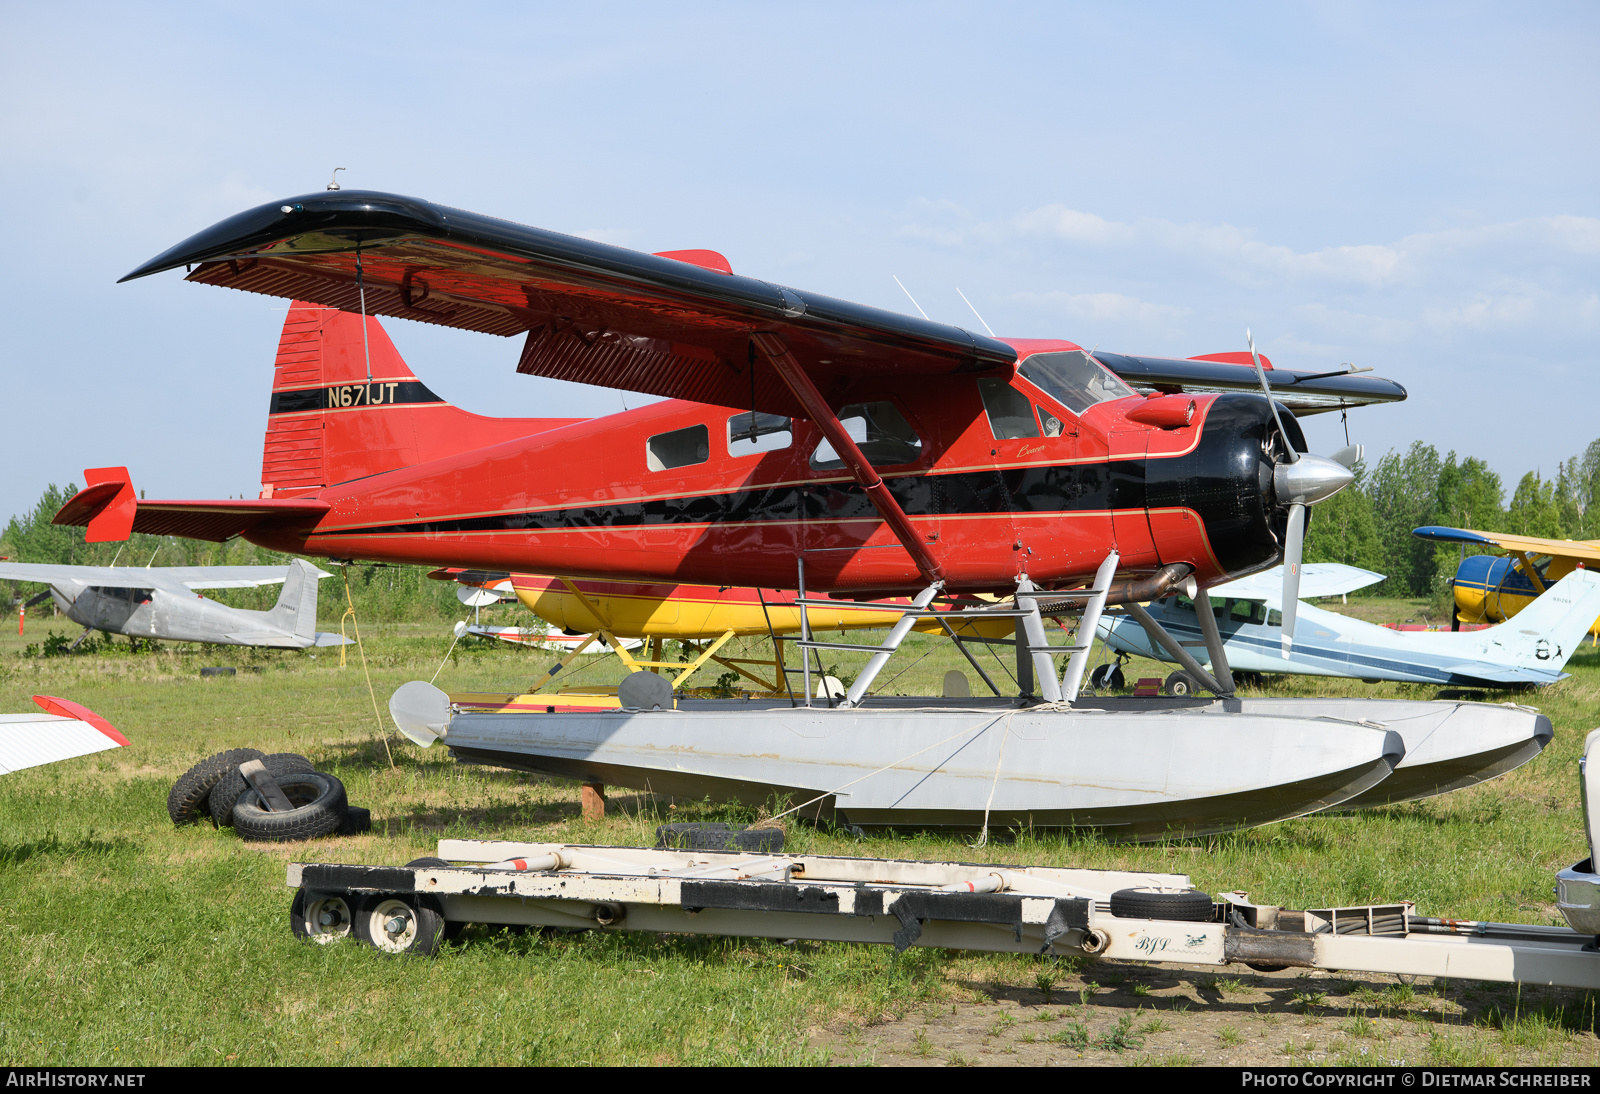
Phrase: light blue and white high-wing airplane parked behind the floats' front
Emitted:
{"points": [[1529, 650]]}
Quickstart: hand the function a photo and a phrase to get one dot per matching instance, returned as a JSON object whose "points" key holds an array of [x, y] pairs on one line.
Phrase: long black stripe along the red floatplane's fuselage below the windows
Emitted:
{"points": [[1036, 490]]}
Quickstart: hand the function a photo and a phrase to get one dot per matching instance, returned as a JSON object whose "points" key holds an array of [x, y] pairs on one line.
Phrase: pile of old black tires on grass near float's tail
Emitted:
{"points": [[217, 789]]}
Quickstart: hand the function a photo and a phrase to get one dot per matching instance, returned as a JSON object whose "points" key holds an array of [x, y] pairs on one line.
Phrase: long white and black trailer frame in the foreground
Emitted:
{"points": [[902, 903]]}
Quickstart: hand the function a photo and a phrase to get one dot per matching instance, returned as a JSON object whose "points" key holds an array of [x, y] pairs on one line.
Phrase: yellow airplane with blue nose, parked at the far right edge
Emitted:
{"points": [[1495, 588]]}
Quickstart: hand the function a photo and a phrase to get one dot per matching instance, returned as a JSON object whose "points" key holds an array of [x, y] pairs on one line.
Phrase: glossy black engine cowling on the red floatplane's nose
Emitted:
{"points": [[1228, 482]]}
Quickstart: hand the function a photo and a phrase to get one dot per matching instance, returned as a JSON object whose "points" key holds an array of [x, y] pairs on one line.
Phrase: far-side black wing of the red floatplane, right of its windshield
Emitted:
{"points": [[1302, 393]]}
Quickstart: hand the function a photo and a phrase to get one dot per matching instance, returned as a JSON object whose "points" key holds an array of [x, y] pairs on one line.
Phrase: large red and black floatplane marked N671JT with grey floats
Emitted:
{"points": [[818, 445]]}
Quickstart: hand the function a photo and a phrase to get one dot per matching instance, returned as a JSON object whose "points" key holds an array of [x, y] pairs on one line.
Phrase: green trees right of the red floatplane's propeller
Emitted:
{"points": [[1370, 524]]}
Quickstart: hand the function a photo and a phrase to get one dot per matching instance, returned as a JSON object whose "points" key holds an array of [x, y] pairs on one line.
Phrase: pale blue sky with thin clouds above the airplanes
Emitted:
{"points": [[1412, 191]]}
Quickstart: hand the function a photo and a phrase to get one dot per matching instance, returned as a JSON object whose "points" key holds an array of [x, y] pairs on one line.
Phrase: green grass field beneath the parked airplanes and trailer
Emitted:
{"points": [[126, 941]]}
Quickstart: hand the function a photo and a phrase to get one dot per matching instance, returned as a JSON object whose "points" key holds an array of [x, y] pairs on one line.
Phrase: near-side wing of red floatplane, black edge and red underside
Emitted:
{"points": [[591, 313]]}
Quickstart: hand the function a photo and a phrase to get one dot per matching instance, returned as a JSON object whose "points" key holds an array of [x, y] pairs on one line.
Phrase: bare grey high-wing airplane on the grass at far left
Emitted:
{"points": [[161, 602]]}
